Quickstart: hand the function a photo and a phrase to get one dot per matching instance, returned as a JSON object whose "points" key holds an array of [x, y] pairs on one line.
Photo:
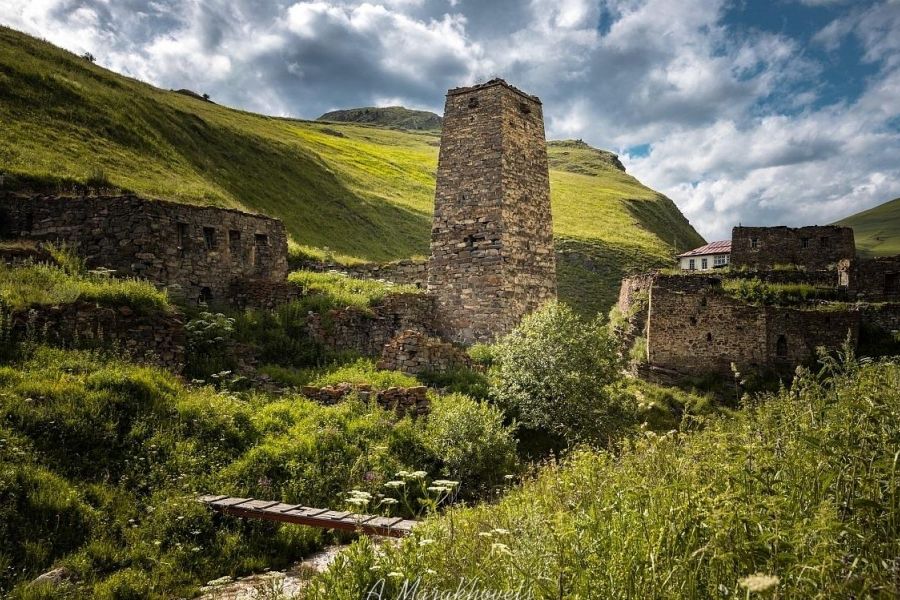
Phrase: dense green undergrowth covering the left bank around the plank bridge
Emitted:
{"points": [[100, 462]]}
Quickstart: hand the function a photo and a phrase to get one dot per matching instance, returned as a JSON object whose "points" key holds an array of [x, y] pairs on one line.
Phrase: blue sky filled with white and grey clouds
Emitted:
{"points": [[751, 111]]}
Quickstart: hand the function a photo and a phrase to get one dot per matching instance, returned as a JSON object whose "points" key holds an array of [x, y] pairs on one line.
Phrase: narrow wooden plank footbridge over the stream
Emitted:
{"points": [[324, 518]]}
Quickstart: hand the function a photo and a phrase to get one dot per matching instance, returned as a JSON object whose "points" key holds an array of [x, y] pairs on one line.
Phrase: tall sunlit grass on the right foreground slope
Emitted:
{"points": [[802, 486]]}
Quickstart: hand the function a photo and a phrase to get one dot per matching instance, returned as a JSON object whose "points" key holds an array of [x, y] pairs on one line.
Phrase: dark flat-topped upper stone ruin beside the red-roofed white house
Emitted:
{"points": [[817, 248]]}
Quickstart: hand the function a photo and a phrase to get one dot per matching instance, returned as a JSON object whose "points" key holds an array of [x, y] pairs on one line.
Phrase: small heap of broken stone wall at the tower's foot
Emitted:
{"points": [[414, 352]]}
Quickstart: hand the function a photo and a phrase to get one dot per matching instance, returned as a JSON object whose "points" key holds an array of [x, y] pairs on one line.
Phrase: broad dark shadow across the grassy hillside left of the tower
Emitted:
{"points": [[289, 182]]}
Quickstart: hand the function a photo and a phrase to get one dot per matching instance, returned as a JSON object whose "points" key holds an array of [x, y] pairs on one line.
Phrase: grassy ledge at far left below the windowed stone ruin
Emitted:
{"points": [[40, 284]]}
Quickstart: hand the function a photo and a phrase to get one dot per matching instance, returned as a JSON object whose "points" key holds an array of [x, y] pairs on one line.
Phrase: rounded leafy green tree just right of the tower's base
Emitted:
{"points": [[560, 373]]}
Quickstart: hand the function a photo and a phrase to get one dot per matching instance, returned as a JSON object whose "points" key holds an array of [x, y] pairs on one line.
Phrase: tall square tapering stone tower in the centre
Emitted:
{"points": [[492, 259]]}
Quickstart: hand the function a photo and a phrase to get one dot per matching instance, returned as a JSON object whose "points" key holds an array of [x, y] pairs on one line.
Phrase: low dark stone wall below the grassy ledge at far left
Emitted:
{"points": [[155, 337]]}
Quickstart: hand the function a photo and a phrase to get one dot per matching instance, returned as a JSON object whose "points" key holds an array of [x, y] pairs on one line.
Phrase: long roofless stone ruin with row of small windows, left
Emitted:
{"points": [[195, 251]]}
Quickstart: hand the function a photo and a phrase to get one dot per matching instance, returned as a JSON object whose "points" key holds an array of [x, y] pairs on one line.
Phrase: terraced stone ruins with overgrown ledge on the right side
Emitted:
{"points": [[691, 327]]}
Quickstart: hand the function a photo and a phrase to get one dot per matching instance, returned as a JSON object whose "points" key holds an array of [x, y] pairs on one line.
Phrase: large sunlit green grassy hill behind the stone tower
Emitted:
{"points": [[364, 192]]}
